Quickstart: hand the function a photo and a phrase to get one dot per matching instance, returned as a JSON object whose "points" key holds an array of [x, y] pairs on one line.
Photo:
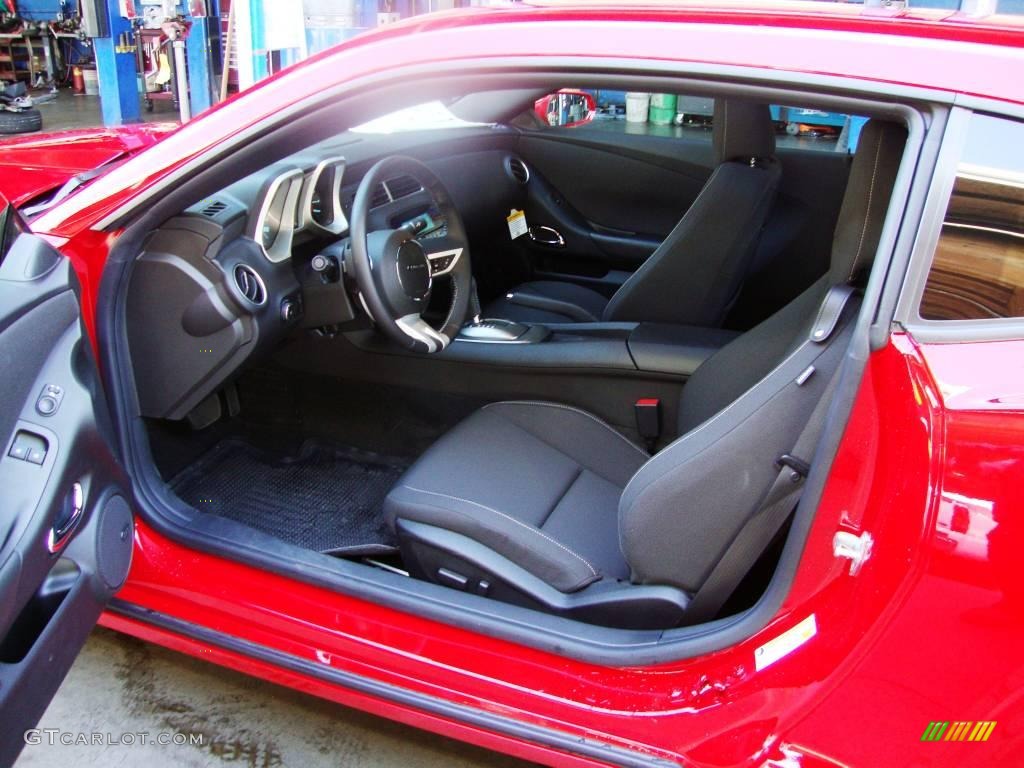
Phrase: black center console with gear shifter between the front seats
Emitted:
{"points": [[607, 369]]}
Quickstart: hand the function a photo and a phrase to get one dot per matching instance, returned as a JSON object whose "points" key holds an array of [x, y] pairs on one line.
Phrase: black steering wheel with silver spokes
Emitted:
{"points": [[396, 270]]}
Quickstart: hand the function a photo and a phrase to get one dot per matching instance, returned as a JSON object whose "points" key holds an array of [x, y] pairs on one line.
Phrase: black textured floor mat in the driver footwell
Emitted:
{"points": [[324, 498]]}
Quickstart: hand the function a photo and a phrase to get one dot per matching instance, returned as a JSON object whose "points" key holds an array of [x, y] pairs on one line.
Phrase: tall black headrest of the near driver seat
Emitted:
{"points": [[867, 200]]}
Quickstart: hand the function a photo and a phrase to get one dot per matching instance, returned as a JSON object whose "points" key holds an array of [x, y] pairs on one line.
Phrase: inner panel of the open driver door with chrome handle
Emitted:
{"points": [[66, 528]]}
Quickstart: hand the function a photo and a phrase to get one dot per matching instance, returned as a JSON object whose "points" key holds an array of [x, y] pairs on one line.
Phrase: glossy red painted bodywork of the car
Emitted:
{"points": [[924, 632]]}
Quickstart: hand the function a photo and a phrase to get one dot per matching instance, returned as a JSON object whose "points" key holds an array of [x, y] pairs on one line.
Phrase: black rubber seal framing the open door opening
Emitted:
{"points": [[614, 648]]}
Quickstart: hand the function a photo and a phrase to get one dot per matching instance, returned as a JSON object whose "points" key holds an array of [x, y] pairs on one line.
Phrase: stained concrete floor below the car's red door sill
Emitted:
{"points": [[122, 686]]}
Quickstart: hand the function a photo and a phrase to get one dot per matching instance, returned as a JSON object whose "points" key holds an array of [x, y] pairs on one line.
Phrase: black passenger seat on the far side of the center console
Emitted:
{"points": [[695, 276]]}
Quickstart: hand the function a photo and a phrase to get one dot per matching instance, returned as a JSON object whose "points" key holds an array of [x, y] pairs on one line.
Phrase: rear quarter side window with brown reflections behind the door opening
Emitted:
{"points": [[978, 268]]}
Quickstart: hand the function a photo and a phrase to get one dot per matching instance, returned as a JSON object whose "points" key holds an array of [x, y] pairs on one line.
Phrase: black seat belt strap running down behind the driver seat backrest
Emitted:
{"points": [[761, 529]]}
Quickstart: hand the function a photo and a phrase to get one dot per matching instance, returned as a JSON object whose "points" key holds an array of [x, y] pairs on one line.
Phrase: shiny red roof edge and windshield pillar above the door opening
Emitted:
{"points": [[926, 56]]}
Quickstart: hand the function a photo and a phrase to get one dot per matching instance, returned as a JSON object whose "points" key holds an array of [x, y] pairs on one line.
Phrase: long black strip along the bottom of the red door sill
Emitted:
{"points": [[506, 727]]}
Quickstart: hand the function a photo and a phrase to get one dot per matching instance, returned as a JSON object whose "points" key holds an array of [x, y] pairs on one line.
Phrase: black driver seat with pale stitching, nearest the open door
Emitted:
{"points": [[545, 505]]}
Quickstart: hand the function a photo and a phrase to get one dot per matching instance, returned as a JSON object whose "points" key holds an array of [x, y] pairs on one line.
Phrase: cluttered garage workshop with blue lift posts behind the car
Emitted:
{"points": [[142, 60]]}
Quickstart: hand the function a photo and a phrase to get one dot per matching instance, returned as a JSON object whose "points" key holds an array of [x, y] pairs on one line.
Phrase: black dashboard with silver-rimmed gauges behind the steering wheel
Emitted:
{"points": [[230, 278]]}
